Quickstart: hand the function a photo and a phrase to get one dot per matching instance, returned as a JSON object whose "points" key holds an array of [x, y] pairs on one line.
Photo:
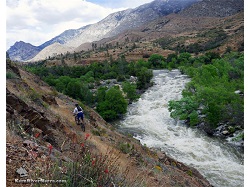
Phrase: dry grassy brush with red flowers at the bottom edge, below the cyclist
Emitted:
{"points": [[91, 170]]}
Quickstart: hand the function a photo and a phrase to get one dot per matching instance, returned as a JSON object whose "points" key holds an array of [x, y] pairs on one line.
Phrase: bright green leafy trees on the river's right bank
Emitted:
{"points": [[212, 90]]}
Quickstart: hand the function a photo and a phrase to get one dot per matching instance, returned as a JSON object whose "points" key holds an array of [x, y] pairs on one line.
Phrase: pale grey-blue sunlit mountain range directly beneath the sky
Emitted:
{"points": [[110, 26]]}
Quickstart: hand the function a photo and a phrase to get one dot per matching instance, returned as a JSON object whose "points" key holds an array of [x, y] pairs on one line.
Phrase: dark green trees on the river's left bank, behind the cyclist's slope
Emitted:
{"points": [[76, 82]]}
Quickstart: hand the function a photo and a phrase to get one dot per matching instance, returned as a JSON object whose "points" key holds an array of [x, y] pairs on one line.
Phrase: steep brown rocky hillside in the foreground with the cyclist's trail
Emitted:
{"points": [[43, 142]]}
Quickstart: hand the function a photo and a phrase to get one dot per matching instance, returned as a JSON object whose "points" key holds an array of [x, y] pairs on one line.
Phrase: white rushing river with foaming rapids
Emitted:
{"points": [[149, 120]]}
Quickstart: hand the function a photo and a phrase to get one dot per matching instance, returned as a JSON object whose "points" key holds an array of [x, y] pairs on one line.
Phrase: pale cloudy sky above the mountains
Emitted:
{"points": [[37, 21]]}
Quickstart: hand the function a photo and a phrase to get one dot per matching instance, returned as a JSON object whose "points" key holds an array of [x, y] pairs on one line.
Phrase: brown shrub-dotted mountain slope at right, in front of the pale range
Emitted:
{"points": [[177, 32]]}
